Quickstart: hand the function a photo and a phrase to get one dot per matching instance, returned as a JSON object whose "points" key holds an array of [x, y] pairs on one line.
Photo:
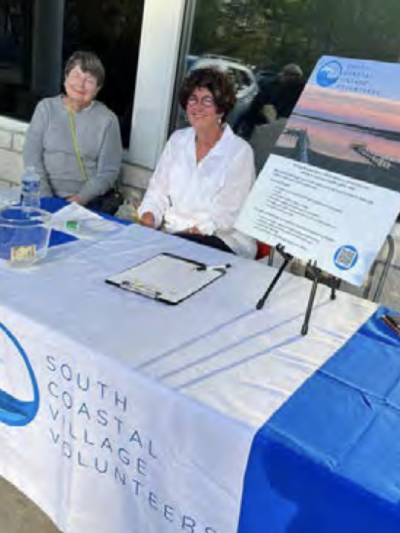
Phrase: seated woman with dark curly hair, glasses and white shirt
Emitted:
{"points": [[205, 171]]}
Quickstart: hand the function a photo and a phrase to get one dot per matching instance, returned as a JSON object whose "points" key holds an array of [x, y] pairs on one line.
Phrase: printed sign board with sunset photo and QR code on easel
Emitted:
{"points": [[330, 192]]}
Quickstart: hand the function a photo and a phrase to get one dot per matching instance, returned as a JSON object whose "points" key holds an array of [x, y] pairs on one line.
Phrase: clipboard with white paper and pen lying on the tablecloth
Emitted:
{"points": [[167, 278]]}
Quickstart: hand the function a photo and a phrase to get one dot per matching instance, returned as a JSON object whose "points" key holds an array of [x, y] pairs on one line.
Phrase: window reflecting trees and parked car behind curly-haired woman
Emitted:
{"points": [[252, 40]]}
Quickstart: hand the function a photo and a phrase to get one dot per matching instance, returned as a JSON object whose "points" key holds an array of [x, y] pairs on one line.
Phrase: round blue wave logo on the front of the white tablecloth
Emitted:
{"points": [[15, 412]]}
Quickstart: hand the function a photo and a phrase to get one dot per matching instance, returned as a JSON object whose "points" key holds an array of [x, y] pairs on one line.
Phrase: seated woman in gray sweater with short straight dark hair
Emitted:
{"points": [[73, 141]]}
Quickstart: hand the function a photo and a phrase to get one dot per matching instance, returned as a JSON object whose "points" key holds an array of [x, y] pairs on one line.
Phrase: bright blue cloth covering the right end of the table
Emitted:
{"points": [[328, 461]]}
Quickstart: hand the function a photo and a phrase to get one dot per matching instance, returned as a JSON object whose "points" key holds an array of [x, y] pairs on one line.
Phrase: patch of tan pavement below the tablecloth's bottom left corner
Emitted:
{"points": [[20, 515]]}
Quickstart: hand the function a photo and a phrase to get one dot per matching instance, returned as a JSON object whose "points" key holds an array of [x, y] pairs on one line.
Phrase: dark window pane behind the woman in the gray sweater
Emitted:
{"points": [[37, 36]]}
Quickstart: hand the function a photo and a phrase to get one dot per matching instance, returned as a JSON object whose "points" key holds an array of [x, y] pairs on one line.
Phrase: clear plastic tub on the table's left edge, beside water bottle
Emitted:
{"points": [[24, 235]]}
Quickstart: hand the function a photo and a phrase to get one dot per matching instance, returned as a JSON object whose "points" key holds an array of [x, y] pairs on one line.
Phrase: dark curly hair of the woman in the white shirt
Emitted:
{"points": [[216, 82]]}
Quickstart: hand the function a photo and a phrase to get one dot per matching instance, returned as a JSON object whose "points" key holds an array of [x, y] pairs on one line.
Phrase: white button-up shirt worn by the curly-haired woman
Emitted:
{"points": [[183, 193]]}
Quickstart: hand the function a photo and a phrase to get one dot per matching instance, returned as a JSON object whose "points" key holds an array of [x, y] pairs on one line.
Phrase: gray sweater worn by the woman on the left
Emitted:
{"points": [[49, 147]]}
